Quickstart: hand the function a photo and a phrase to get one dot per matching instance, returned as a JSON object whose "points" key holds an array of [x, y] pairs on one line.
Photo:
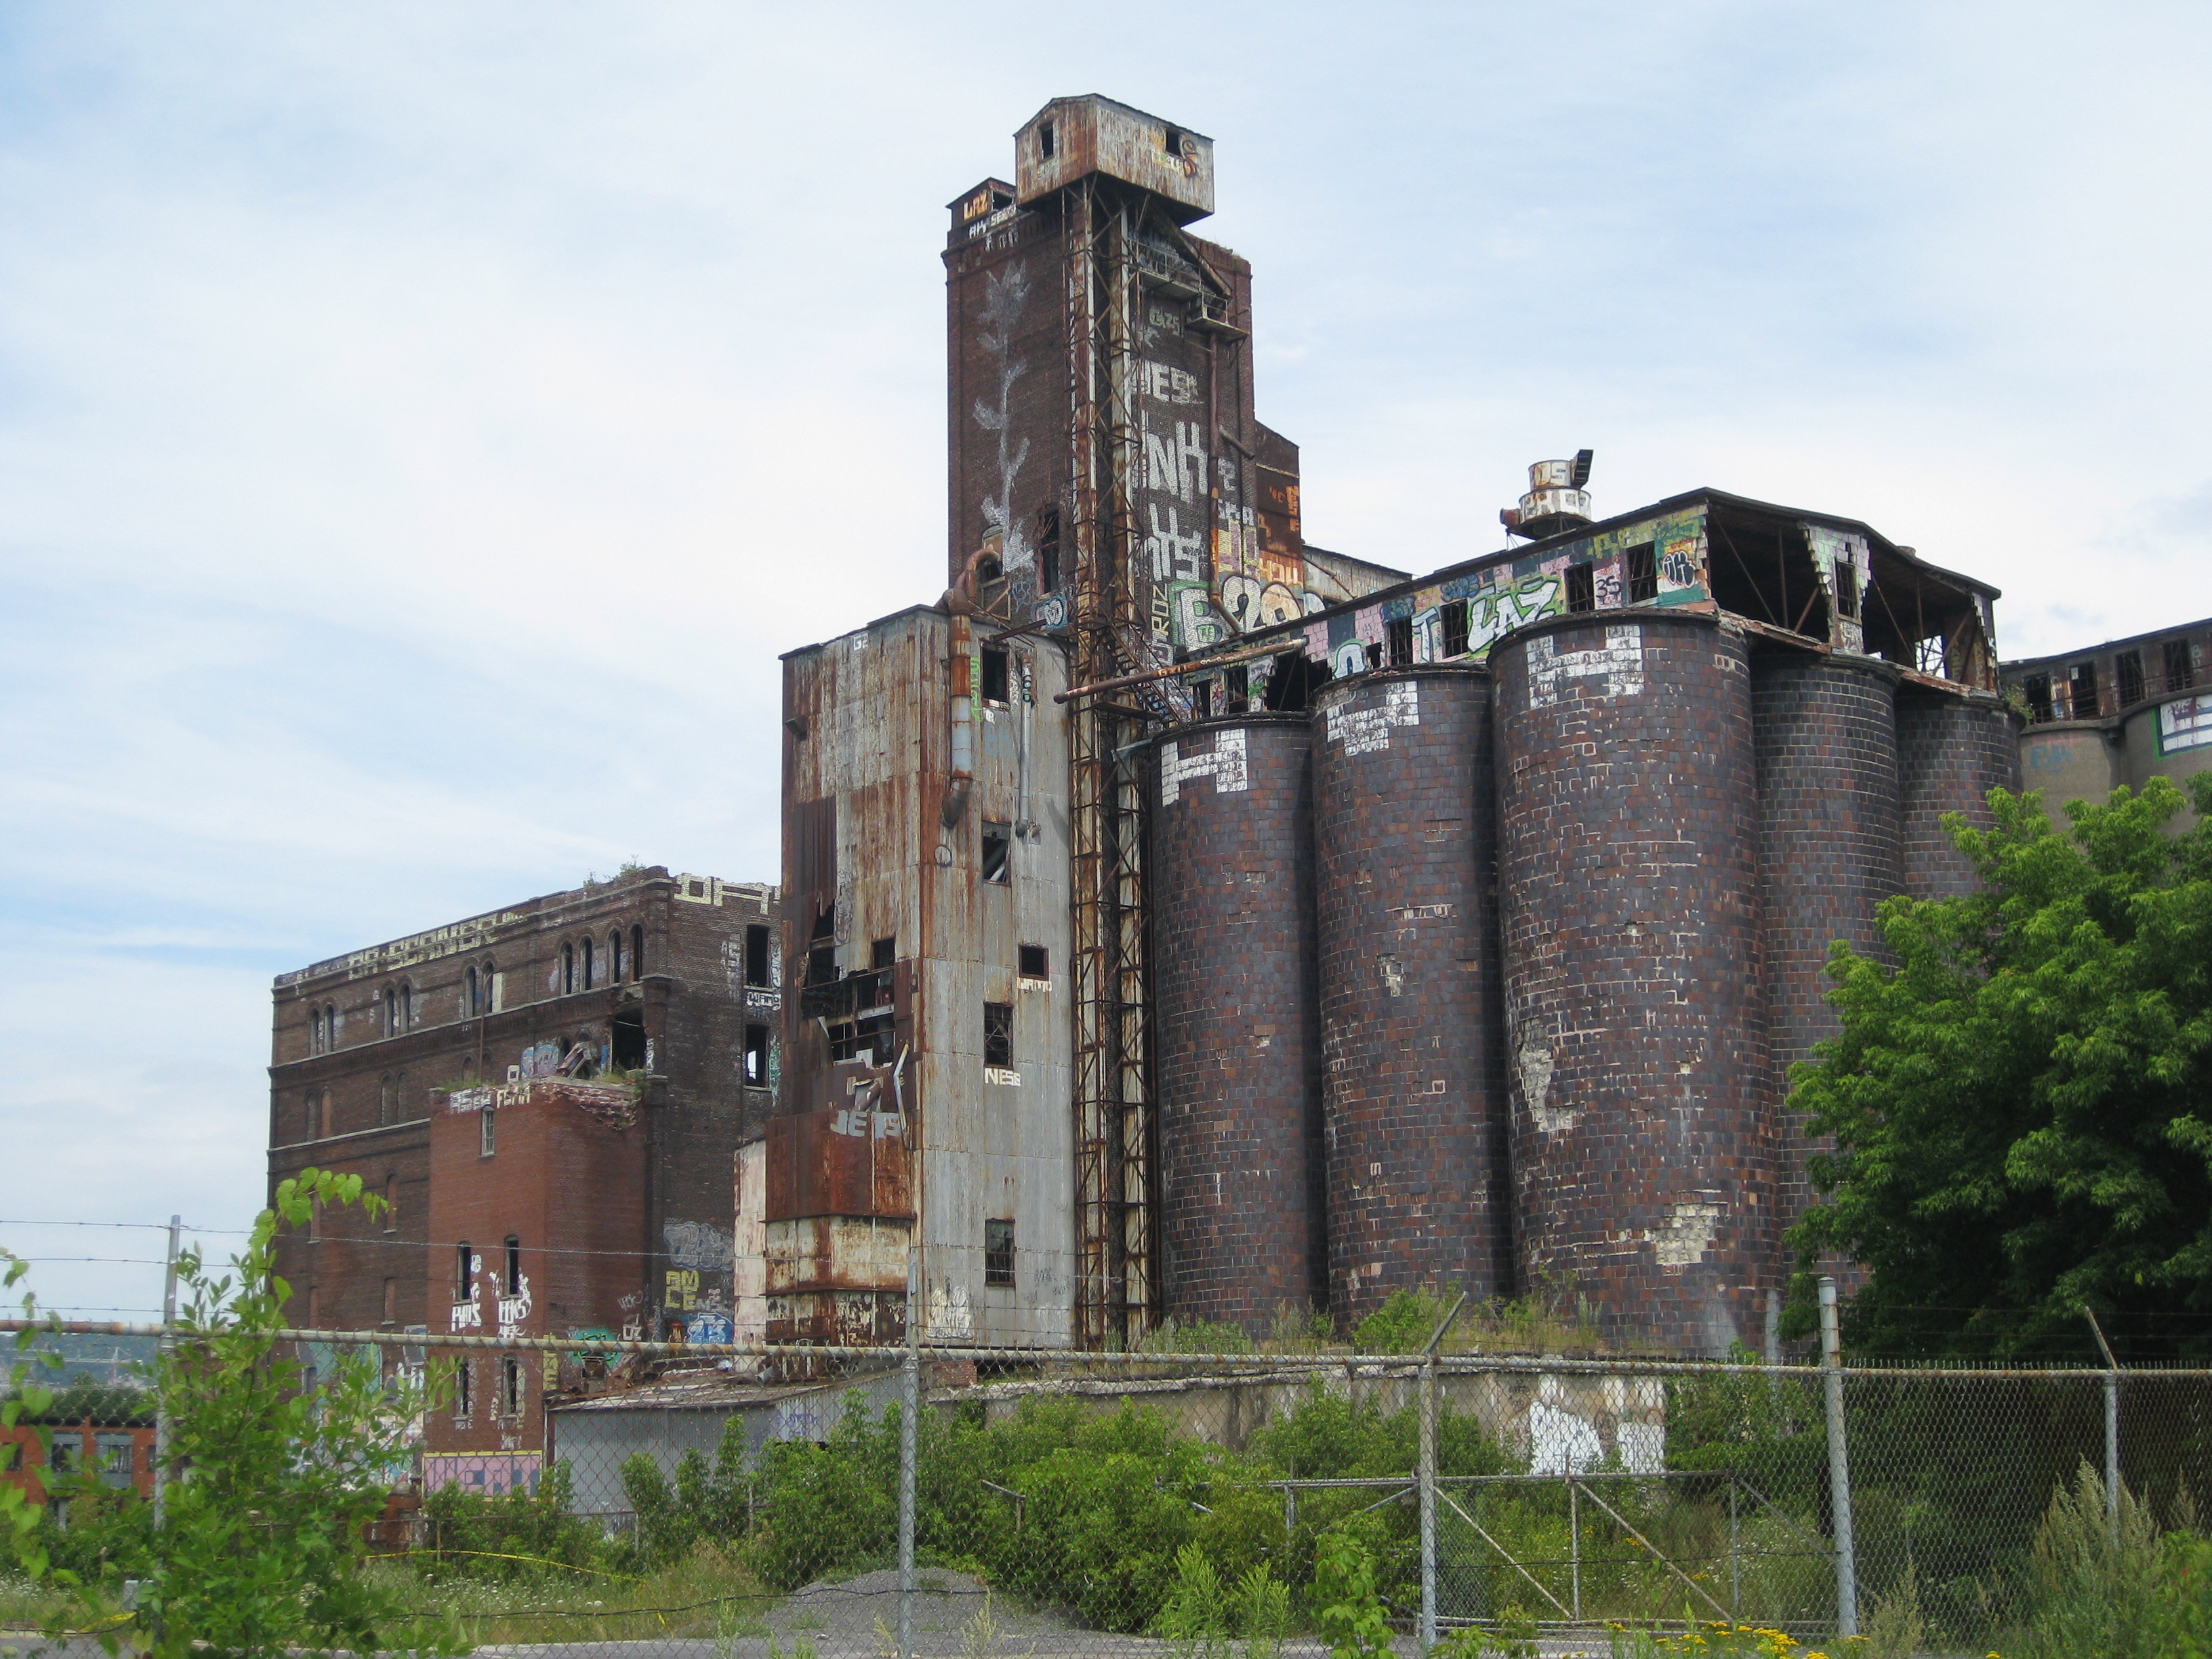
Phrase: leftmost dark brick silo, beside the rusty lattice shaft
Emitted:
{"points": [[1235, 1036]]}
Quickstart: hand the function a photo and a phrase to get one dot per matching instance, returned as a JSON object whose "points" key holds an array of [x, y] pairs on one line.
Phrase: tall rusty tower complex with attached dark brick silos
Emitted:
{"points": [[1198, 924]]}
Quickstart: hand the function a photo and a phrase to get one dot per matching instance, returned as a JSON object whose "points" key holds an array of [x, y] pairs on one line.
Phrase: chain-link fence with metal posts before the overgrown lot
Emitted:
{"points": [[574, 1494]]}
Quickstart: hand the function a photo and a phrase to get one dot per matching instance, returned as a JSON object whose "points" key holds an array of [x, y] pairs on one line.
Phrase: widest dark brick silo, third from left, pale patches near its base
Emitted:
{"points": [[1629, 886]]}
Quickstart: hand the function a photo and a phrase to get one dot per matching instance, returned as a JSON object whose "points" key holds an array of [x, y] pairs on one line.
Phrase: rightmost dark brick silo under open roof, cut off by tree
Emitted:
{"points": [[1952, 751]]}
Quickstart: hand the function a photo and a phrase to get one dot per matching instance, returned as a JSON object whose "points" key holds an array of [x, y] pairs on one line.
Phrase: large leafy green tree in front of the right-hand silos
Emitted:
{"points": [[2023, 1098]]}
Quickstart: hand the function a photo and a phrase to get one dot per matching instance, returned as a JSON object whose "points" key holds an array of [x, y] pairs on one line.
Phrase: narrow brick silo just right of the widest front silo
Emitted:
{"points": [[1828, 848]]}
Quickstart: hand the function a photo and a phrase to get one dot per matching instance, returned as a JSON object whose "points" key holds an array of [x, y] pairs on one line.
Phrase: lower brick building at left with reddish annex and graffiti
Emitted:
{"points": [[547, 1098]]}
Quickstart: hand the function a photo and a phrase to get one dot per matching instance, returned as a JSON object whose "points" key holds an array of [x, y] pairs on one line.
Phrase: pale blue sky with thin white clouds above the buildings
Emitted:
{"points": [[424, 426]]}
